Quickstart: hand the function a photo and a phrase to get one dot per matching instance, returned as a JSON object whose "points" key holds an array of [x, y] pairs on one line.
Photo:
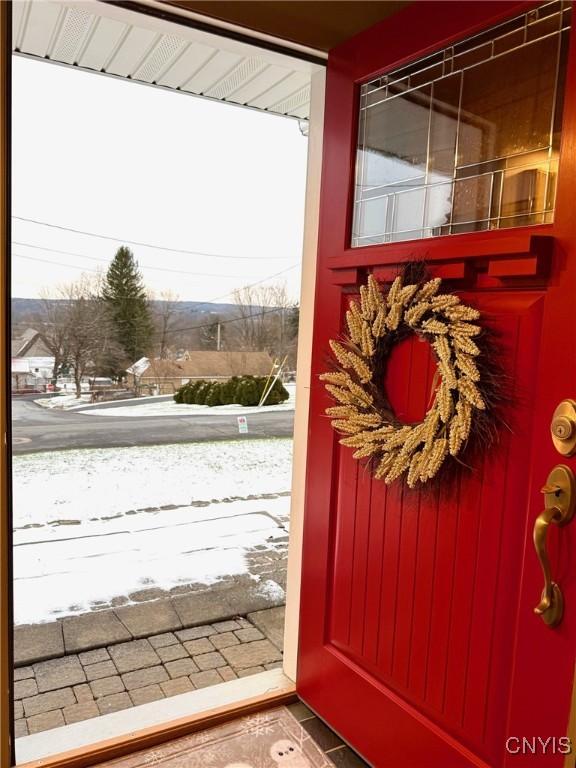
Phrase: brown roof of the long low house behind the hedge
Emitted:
{"points": [[211, 364]]}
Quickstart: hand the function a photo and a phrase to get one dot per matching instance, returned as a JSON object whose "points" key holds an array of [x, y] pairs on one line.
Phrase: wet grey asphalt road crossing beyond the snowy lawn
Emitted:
{"points": [[39, 429]]}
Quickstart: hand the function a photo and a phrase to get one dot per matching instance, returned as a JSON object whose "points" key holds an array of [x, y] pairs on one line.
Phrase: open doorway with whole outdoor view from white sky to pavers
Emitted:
{"points": [[151, 526]]}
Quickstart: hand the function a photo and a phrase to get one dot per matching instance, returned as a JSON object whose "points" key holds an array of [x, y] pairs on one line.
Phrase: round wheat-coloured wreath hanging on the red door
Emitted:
{"points": [[466, 388]]}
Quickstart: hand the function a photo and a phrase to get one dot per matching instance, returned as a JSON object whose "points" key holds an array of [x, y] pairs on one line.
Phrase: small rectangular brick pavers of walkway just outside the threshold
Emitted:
{"points": [[80, 686]]}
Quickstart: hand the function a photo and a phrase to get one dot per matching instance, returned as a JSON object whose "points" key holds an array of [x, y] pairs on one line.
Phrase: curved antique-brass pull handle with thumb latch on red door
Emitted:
{"points": [[559, 495]]}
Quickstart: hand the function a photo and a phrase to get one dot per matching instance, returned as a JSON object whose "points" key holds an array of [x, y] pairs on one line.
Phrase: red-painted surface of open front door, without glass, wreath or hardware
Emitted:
{"points": [[419, 644]]}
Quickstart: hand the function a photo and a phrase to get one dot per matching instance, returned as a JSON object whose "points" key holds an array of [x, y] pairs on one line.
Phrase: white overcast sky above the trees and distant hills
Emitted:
{"points": [[125, 160]]}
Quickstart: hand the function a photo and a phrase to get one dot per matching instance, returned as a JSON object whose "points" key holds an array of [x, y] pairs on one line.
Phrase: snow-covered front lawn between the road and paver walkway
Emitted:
{"points": [[92, 525]]}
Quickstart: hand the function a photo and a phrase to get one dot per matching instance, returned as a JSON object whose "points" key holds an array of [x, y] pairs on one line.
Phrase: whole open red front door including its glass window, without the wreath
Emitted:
{"points": [[450, 136]]}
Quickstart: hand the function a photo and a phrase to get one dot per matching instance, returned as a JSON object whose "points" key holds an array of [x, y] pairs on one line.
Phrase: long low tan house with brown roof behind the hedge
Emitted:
{"points": [[166, 376]]}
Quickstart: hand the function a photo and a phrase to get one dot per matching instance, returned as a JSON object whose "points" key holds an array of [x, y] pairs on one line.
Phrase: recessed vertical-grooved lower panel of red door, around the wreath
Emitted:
{"points": [[419, 582]]}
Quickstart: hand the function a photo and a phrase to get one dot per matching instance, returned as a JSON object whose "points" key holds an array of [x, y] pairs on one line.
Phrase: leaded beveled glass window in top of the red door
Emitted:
{"points": [[466, 139]]}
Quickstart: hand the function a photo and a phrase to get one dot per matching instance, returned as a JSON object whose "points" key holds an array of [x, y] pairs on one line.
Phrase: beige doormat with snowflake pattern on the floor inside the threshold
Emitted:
{"points": [[272, 739]]}
